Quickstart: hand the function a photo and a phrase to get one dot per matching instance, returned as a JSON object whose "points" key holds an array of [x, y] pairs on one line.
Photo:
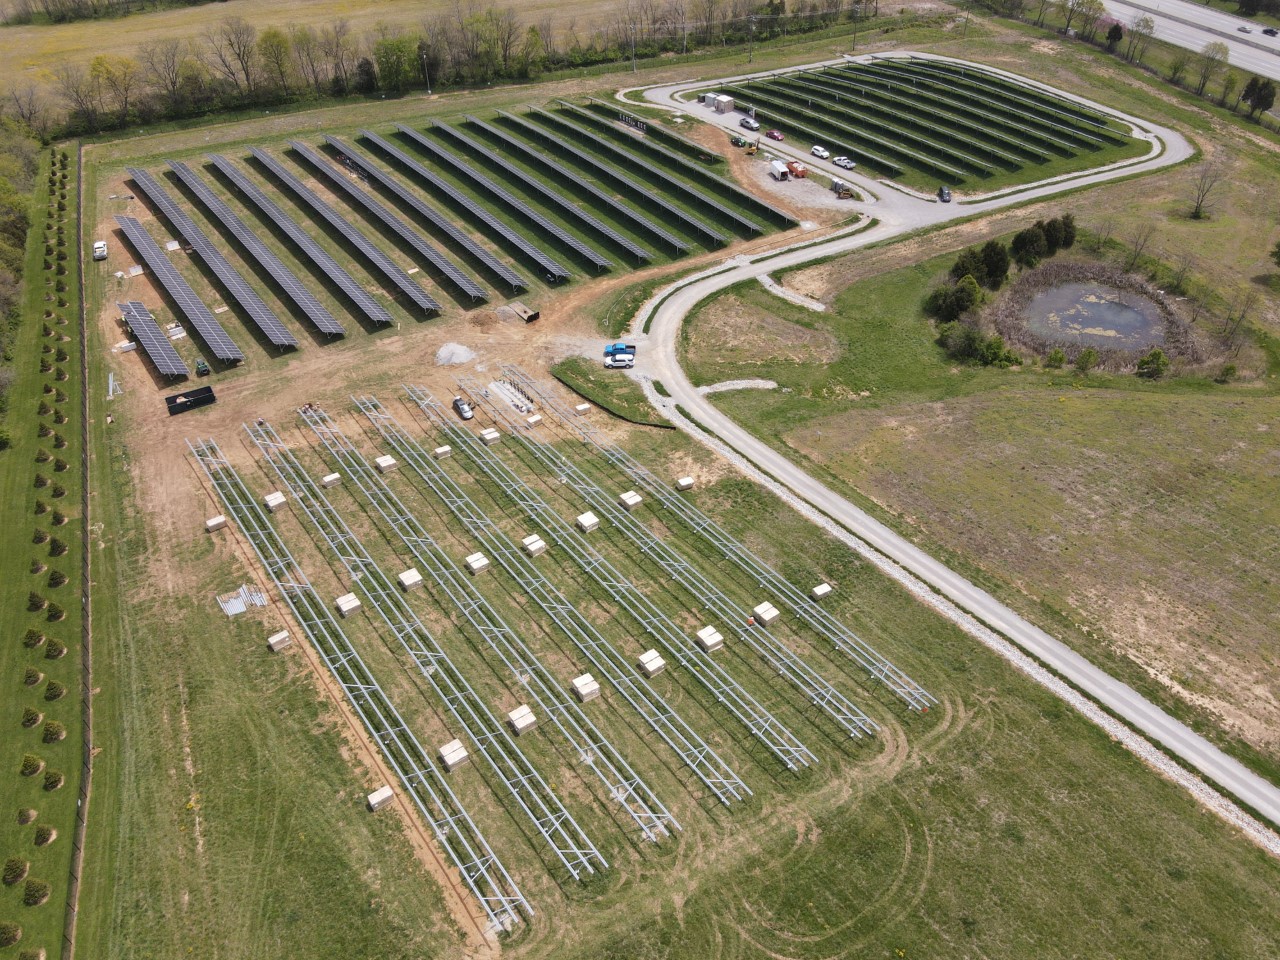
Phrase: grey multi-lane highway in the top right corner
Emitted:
{"points": [[1192, 26]]}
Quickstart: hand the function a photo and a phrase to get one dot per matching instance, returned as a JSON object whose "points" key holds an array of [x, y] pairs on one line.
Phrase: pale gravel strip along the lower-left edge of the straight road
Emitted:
{"points": [[1254, 829]]}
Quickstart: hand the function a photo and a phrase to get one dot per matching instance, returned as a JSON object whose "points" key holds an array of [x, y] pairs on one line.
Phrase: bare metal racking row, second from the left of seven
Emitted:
{"points": [[557, 828]]}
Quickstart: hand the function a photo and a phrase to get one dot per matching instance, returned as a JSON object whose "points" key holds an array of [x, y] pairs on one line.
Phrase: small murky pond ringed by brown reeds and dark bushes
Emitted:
{"points": [[1095, 316]]}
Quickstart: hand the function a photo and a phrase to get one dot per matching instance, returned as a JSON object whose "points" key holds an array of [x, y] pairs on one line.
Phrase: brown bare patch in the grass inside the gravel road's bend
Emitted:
{"points": [[744, 333]]}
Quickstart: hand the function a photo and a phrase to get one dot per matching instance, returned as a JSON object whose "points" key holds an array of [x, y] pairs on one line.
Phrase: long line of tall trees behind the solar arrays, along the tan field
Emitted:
{"points": [[235, 65]]}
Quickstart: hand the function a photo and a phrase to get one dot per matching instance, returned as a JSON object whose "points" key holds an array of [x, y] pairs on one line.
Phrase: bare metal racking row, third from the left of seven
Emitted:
{"points": [[624, 784]]}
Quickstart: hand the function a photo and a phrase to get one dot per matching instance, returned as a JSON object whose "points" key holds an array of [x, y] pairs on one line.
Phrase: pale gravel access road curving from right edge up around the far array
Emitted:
{"points": [[900, 213]]}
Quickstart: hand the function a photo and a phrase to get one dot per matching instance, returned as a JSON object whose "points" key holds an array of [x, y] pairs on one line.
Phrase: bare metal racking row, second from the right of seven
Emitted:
{"points": [[788, 664]]}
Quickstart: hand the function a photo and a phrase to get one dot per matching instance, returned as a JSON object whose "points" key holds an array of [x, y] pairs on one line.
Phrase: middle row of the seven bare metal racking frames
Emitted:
{"points": [[609, 664]]}
